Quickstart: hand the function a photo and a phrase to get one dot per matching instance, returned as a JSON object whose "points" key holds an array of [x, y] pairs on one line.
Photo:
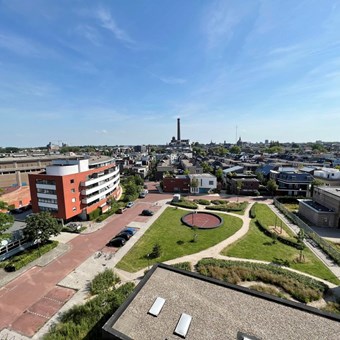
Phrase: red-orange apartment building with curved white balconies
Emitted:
{"points": [[75, 187]]}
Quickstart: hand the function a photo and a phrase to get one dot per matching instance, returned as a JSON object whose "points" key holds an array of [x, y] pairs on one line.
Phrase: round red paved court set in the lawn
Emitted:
{"points": [[202, 220]]}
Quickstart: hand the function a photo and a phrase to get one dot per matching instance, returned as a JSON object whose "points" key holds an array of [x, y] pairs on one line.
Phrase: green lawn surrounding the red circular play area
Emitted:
{"points": [[175, 239]]}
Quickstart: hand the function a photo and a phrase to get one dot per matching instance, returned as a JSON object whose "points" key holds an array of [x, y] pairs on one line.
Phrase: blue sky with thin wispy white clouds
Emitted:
{"points": [[121, 72]]}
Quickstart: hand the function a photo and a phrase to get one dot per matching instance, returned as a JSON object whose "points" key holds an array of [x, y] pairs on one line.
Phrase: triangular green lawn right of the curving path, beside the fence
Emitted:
{"points": [[256, 245]]}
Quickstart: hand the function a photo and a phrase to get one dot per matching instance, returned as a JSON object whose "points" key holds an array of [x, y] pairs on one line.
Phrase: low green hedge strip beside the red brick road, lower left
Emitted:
{"points": [[29, 255]]}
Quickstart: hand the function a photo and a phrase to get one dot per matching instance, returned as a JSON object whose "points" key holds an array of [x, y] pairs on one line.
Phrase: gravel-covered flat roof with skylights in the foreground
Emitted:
{"points": [[218, 310]]}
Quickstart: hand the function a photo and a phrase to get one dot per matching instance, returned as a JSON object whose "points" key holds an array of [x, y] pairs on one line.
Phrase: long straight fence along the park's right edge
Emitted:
{"points": [[309, 232]]}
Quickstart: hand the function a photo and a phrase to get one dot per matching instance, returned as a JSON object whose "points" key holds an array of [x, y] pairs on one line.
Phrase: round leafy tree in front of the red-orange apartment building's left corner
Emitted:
{"points": [[41, 226]]}
